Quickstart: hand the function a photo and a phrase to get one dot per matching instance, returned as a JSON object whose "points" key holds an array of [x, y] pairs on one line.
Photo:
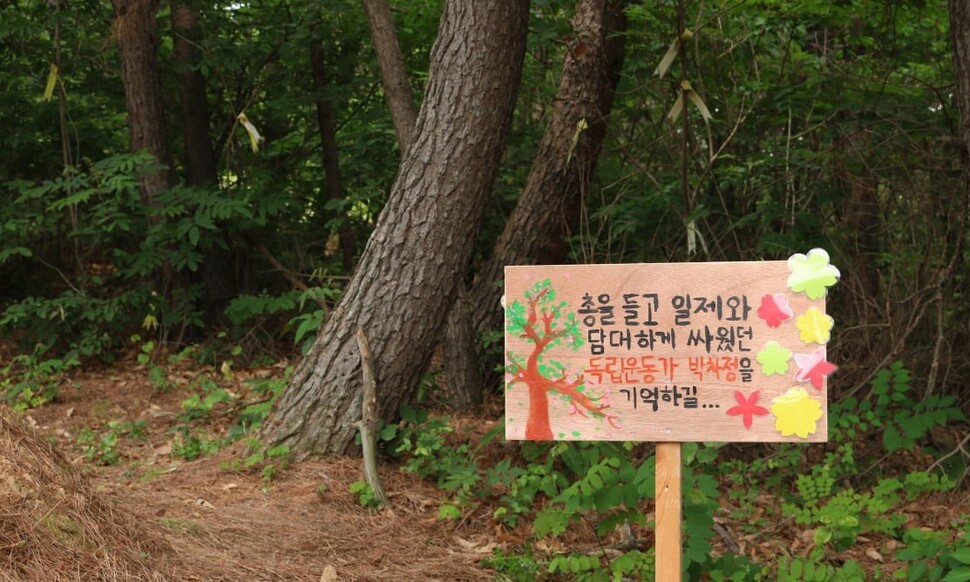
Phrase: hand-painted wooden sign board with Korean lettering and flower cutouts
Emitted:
{"points": [[729, 351]]}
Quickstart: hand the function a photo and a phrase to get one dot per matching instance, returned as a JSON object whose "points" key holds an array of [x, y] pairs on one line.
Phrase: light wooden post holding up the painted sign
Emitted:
{"points": [[668, 537]]}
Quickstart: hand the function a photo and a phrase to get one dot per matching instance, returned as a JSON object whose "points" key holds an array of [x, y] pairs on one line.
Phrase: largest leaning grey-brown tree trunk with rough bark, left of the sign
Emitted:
{"points": [[403, 285]]}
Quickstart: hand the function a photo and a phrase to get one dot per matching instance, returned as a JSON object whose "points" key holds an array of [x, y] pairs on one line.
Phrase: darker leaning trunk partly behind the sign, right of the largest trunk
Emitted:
{"points": [[548, 208]]}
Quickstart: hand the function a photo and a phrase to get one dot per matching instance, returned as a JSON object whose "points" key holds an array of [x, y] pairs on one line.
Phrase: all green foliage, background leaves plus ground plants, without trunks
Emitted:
{"points": [[833, 125]]}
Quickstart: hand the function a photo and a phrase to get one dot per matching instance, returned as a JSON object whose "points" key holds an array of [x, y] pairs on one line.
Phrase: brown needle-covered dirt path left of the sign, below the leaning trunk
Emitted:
{"points": [[232, 524]]}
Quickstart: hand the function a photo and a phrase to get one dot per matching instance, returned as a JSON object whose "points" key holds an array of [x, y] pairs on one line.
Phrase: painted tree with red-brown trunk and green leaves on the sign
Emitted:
{"points": [[542, 322]]}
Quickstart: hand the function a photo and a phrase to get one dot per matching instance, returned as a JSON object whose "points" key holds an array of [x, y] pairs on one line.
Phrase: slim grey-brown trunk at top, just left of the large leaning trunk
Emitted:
{"points": [[394, 76]]}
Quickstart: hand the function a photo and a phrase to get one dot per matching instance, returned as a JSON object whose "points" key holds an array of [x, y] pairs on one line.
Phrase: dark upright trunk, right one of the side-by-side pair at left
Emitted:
{"points": [[218, 278]]}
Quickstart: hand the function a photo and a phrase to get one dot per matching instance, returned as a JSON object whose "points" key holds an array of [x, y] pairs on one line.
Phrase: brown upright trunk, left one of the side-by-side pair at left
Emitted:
{"points": [[136, 29]]}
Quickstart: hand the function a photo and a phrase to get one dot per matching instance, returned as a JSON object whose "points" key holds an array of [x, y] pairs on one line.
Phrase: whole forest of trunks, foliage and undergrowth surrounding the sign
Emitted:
{"points": [[204, 182]]}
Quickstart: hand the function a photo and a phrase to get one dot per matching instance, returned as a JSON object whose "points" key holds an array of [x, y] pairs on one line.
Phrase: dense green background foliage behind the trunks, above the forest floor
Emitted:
{"points": [[831, 126]]}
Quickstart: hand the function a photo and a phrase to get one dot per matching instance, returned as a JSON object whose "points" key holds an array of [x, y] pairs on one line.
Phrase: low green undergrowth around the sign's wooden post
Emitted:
{"points": [[845, 502]]}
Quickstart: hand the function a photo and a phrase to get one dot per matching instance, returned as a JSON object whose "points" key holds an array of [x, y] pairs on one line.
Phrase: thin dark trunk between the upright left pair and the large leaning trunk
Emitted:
{"points": [[331, 165]]}
